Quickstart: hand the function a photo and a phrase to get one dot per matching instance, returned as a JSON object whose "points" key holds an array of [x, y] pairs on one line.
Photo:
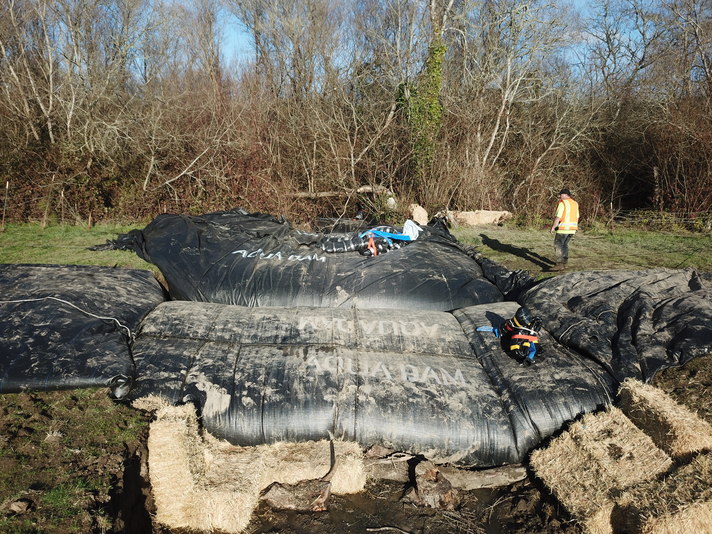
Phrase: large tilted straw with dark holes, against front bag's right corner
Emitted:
{"points": [[597, 457]]}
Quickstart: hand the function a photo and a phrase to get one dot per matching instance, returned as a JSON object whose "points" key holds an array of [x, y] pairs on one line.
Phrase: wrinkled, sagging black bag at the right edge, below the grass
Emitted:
{"points": [[632, 323]]}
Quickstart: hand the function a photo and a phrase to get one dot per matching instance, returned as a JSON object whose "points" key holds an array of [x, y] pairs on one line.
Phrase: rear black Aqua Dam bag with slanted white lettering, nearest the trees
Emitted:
{"points": [[258, 260]]}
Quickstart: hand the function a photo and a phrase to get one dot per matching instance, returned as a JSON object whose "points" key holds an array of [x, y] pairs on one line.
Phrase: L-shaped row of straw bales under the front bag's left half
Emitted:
{"points": [[202, 483]]}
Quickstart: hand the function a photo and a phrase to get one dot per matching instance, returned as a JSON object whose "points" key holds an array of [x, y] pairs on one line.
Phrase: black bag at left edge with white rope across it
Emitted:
{"points": [[69, 326]]}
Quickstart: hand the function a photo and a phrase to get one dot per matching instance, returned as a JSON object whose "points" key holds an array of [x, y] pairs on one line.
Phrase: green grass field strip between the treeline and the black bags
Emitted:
{"points": [[514, 247]]}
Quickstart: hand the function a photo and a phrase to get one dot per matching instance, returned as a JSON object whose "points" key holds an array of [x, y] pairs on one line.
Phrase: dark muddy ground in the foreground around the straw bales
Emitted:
{"points": [[75, 462]]}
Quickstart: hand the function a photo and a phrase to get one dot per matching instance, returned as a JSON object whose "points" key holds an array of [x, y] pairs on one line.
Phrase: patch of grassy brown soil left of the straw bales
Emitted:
{"points": [[70, 462]]}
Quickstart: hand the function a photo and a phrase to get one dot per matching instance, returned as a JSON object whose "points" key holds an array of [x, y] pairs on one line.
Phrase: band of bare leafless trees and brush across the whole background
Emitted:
{"points": [[471, 103]]}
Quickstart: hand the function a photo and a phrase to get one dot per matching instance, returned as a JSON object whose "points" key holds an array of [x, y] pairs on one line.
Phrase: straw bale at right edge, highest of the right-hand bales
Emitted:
{"points": [[673, 427]]}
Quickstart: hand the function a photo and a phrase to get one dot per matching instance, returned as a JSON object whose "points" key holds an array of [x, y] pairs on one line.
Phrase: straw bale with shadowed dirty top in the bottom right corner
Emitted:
{"points": [[681, 503]]}
